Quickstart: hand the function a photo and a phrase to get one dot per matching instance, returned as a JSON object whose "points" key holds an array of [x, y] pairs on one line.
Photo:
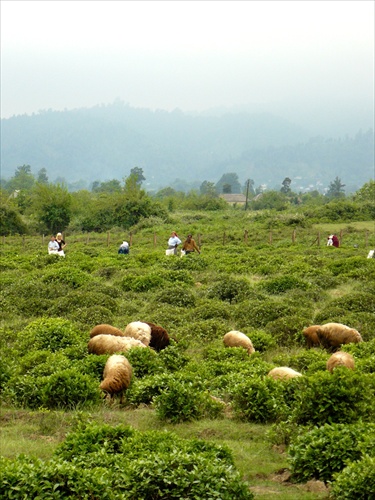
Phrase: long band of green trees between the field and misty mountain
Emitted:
{"points": [[33, 205]]}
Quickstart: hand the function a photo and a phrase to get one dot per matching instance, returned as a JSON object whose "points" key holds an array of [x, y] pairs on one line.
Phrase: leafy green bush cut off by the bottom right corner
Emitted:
{"points": [[356, 481]]}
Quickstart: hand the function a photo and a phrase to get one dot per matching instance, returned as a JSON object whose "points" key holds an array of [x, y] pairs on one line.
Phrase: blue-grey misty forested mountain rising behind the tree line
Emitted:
{"points": [[105, 142]]}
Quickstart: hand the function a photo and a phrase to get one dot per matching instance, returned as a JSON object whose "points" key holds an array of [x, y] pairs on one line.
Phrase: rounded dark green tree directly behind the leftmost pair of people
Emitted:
{"points": [[52, 206]]}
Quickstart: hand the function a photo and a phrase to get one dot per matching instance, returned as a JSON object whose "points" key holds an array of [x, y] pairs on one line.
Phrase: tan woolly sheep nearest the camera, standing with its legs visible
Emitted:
{"points": [[116, 376]]}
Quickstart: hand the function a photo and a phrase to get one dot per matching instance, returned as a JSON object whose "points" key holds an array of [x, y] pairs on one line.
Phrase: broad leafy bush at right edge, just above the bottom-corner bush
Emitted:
{"points": [[323, 451]]}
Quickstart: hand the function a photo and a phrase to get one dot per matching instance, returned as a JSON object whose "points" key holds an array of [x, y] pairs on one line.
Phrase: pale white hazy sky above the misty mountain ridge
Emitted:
{"points": [[307, 60]]}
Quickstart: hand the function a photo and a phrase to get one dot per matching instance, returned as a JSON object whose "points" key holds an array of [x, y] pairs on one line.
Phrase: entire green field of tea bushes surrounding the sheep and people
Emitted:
{"points": [[199, 420]]}
